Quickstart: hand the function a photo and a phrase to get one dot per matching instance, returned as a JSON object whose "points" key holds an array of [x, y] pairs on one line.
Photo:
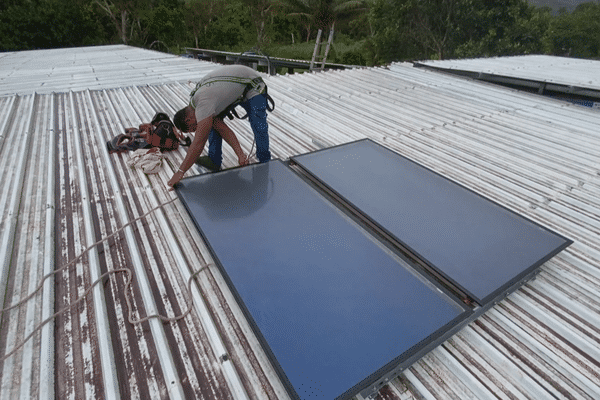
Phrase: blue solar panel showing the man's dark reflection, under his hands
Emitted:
{"points": [[333, 308]]}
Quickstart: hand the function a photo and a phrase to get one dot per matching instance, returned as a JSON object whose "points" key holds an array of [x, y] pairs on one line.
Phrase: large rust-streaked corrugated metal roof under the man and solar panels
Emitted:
{"points": [[63, 192]]}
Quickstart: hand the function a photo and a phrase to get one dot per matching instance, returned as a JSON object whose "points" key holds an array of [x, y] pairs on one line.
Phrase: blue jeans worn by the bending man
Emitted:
{"points": [[256, 108]]}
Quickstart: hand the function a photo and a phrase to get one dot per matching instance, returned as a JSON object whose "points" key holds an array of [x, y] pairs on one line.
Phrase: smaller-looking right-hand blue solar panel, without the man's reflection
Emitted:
{"points": [[479, 245]]}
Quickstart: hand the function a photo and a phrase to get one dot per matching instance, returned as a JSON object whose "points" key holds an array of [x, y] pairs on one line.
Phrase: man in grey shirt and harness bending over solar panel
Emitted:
{"points": [[215, 96]]}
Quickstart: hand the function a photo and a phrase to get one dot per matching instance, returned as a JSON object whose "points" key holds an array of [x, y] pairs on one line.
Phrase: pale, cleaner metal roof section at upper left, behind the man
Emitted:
{"points": [[100, 67]]}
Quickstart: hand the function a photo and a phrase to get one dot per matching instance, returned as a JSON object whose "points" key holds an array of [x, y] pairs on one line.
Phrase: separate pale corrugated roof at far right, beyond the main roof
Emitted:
{"points": [[541, 68]]}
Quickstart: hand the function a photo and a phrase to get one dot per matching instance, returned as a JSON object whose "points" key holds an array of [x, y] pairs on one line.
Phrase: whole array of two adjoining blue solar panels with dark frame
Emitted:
{"points": [[311, 189]]}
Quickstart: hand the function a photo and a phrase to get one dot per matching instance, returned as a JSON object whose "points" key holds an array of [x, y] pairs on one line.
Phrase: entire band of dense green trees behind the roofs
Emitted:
{"points": [[387, 30]]}
